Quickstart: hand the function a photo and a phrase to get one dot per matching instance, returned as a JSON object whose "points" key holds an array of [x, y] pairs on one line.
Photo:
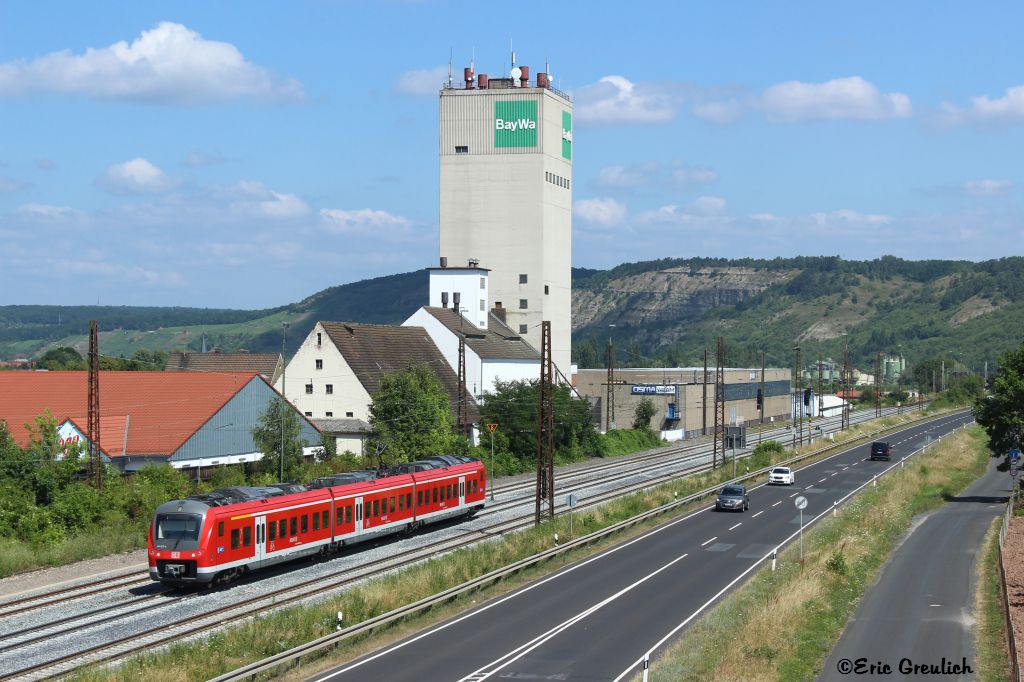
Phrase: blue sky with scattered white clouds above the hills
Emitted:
{"points": [[247, 155]]}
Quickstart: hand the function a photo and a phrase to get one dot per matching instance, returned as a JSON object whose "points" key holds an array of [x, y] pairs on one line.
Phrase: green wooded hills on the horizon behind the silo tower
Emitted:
{"points": [[662, 313]]}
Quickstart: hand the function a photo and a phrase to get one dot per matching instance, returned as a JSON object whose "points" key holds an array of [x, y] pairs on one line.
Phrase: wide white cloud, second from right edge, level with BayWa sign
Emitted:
{"points": [[851, 98]]}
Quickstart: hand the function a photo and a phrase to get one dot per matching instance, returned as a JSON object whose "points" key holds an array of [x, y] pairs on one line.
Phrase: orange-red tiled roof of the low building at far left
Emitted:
{"points": [[164, 408]]}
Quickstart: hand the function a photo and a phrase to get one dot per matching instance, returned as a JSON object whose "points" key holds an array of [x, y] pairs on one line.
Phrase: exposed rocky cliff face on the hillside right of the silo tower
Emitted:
{"points": [[670, 295]]}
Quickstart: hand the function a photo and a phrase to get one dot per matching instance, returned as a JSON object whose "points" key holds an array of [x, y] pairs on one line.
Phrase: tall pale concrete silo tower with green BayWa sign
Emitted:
{"points": [[506, 199]]}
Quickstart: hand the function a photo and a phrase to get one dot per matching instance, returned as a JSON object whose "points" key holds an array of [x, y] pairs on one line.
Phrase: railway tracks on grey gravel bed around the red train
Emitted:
{"points": [[682, 461]]}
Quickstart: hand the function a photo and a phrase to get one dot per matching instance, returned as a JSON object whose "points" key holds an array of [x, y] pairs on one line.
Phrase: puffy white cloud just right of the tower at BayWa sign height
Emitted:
{"points": [[617, 100]]}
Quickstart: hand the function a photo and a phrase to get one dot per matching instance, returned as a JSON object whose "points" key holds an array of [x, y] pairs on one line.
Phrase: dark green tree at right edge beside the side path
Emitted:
{"points": [[1002, 414]]}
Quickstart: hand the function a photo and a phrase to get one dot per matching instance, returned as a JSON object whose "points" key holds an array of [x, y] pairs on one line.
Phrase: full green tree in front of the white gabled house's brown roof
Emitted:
{"points": [[411, 417]]}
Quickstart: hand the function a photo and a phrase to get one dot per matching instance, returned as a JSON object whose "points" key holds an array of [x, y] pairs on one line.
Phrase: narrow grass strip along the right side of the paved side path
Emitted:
{"points": [[992, 654]]}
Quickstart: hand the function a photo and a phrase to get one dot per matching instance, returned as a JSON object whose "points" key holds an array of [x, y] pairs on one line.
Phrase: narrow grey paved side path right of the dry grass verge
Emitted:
{"points": [[922, 607]]}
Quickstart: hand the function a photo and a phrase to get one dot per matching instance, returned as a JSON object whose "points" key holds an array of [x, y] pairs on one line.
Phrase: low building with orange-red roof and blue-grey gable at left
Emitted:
{"points": [[186, 419]]}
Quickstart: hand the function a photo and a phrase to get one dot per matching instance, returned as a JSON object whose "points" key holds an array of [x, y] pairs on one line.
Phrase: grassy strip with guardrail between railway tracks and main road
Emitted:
{"points": [[282, 630]]}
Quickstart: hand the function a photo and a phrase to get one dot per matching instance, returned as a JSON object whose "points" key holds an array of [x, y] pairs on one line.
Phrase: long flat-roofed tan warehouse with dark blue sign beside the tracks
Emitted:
{"points": [[686, 405]]}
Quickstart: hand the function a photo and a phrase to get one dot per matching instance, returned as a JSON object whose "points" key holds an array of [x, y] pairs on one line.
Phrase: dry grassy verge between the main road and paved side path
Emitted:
{"points": [[793, 617]]}
